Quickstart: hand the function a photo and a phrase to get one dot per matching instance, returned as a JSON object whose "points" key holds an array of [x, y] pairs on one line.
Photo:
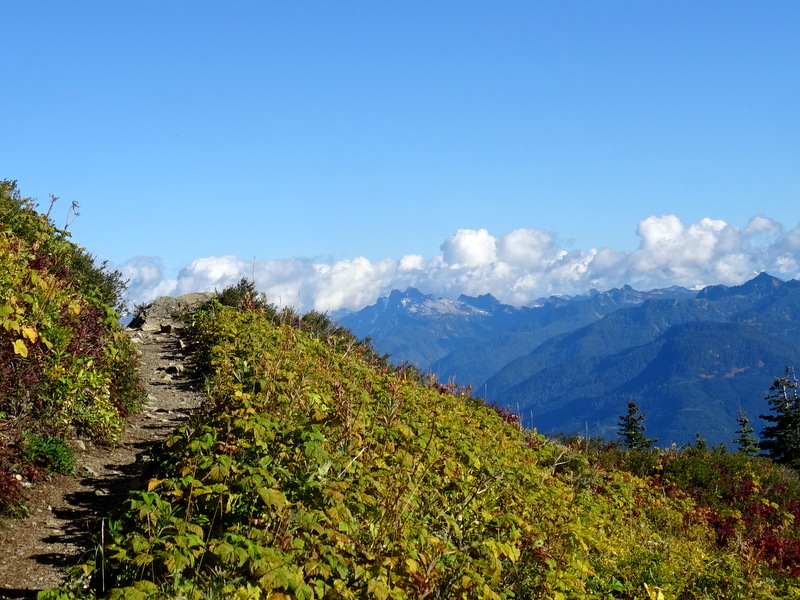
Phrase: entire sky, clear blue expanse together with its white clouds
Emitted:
{"points": [[317, 144]]}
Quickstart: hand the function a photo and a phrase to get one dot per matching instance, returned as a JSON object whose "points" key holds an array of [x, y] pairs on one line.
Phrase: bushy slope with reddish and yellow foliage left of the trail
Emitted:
{"points": [[66, 368]]}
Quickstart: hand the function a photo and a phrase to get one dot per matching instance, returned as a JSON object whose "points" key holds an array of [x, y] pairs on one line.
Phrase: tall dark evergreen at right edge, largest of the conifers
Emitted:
{"points": [[781, 440]]}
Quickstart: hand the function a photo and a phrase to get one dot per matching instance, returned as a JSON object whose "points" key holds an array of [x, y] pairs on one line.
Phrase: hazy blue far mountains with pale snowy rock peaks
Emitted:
{"points": [[470, 339]]}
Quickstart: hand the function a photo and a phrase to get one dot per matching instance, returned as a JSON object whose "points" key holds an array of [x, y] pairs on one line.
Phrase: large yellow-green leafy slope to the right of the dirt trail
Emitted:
{"points": [[316, 471]]}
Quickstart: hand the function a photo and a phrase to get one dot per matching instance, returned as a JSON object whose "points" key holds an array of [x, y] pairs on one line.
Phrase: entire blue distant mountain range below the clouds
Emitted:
{"points": [[689, 359]]}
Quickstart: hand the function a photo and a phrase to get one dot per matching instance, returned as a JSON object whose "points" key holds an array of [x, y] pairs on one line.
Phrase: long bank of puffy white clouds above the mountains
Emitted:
{"points": [[517, 268]]}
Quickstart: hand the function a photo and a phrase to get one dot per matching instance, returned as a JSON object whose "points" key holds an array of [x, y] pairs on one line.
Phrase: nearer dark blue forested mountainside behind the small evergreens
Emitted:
{"points": [[690, 364]]}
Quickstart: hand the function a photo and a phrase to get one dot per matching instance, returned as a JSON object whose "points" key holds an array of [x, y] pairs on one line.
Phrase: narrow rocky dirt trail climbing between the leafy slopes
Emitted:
{"points": [[36, 552]]}
